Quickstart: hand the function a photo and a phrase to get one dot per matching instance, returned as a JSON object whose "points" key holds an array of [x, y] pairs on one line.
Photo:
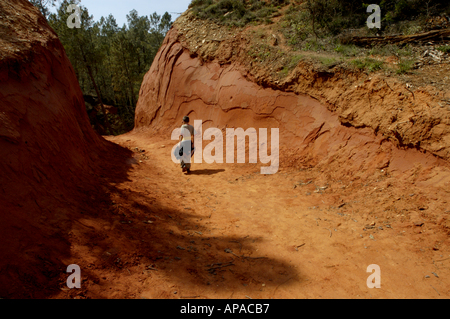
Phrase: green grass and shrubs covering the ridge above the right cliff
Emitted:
{"points": [[318, 30]]}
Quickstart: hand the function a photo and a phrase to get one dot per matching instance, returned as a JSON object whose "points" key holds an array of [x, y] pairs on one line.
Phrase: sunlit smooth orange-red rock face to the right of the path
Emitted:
{"points": [[179, 84]]}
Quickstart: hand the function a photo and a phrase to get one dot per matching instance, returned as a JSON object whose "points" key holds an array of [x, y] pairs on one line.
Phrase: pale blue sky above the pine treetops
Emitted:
{"points": [[120, 8]]}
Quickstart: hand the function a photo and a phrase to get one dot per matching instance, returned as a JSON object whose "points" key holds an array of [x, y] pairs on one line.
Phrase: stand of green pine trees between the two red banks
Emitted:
{"points": [[111, 61]]}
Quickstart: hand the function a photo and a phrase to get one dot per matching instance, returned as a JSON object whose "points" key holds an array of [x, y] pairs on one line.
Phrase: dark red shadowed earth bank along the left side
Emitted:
{"points": [[47, 148]]}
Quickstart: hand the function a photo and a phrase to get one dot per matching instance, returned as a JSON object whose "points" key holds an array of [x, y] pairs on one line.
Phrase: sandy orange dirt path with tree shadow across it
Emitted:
{"points": [[226, 231]]}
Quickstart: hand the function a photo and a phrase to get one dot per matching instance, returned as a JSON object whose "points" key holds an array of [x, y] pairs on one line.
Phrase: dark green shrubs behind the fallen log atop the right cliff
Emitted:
{"points": [[329, 18]]}
